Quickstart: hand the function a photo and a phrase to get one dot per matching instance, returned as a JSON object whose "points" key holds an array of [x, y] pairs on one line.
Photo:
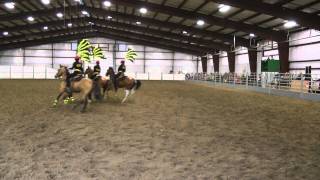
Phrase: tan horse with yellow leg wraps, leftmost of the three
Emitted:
{"points": [[84, 87]]}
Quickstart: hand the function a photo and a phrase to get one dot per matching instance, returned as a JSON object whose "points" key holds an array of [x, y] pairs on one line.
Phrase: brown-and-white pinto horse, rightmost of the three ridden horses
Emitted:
{"points": [[129, 84]]}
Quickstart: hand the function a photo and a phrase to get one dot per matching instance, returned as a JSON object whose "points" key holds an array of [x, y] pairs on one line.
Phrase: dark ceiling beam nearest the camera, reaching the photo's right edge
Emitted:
{"points": [[304, 19]]}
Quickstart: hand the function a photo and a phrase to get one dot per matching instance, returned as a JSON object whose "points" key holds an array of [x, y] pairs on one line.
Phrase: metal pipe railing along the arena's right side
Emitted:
{"points": [[302, 83]]}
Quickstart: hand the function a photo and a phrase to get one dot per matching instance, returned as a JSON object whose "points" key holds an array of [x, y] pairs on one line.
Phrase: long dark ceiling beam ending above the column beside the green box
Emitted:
{"points": [[265, 33]]}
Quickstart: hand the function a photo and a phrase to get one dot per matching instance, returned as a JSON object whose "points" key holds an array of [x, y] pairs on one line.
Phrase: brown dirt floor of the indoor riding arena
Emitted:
{"points": [[167, 130]]}
